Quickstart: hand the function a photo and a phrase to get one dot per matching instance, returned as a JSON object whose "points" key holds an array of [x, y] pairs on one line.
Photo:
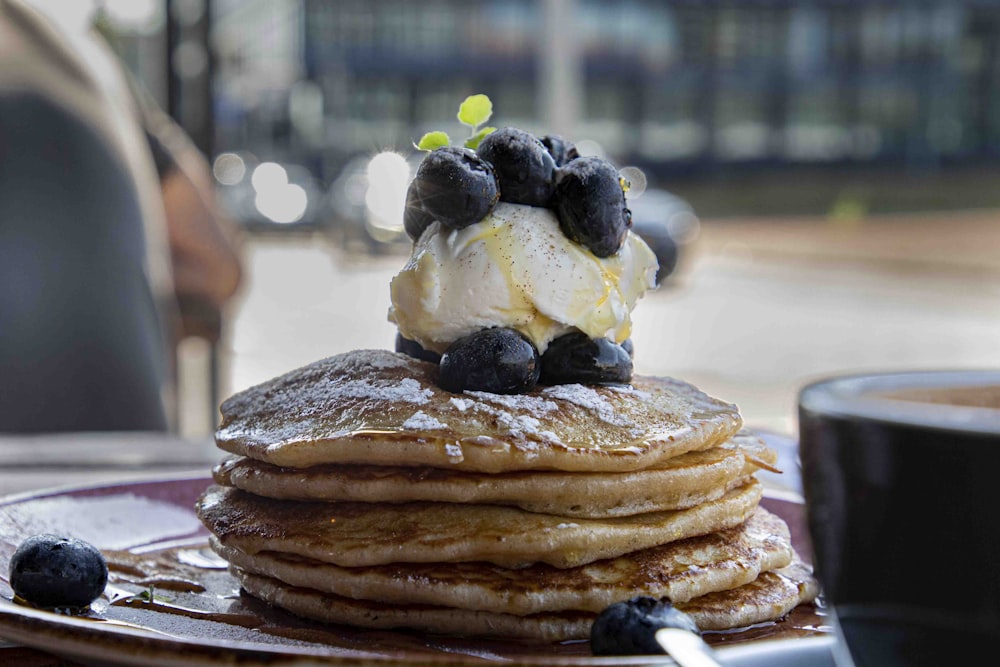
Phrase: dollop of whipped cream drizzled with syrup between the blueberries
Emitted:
{"points": [[515, 268]]}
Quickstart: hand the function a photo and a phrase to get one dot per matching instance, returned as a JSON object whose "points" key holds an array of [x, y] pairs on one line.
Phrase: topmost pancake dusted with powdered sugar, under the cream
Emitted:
{"points": [[381, 407]]}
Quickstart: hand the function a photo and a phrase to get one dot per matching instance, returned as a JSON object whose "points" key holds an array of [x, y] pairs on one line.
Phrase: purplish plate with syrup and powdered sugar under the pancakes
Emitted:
{"points": [[150, 534]]}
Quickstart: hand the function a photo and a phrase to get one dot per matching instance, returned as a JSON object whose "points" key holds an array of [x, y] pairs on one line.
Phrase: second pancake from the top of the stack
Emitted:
{"points": [[677, 483]]}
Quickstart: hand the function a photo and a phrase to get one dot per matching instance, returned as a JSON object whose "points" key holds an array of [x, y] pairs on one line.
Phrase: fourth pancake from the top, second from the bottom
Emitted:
{"points": [[680, 571]]}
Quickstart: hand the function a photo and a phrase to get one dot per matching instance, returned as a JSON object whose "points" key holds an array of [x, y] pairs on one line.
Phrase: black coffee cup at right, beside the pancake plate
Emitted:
{"points": [[901, 477]]}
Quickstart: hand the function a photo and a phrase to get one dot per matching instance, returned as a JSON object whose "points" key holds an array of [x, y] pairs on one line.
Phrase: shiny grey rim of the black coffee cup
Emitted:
{"points": [[857, 396]]}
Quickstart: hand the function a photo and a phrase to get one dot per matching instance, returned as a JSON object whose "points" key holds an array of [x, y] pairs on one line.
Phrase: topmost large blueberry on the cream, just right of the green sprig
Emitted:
{"points": [[524, 167]]}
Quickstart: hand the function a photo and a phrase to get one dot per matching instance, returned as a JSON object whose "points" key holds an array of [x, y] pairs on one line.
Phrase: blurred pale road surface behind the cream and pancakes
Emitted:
{"points": [[757, 309]]}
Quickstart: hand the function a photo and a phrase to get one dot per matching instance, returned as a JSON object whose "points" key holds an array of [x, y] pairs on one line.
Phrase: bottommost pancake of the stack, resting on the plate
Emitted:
{"points": [[768, 598]]}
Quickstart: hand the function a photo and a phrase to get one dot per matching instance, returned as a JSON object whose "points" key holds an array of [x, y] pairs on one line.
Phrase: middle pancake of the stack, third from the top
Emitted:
{"points": [[364, 534]]}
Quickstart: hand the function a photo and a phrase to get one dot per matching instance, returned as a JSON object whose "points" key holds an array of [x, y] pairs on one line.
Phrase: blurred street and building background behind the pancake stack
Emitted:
{"points": [[821, 178]]}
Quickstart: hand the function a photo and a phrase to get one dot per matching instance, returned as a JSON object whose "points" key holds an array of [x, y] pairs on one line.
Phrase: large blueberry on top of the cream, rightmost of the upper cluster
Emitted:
{"points": [[590, 204]]}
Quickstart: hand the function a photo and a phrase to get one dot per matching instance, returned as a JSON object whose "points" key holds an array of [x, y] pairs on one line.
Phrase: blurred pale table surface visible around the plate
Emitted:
{"points": [[29, 463]]}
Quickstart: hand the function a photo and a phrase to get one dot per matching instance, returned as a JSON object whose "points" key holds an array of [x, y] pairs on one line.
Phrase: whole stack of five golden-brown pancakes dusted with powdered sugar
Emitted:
{"points": [[358, 492]]}
